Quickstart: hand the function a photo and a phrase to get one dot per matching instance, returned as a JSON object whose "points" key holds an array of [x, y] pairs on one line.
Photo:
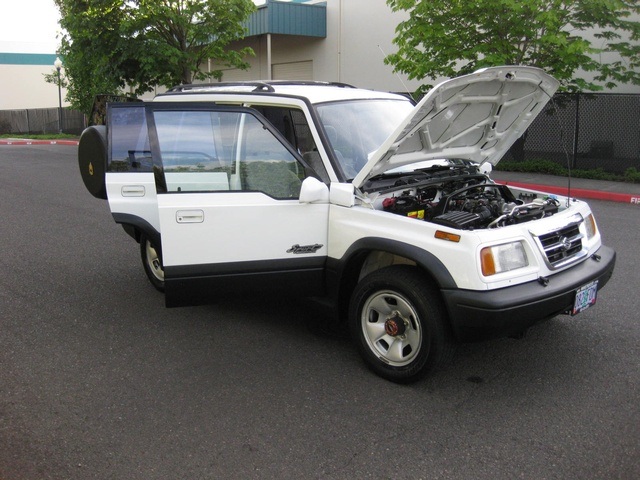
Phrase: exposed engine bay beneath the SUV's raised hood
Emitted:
{"points": [[457, 196]]}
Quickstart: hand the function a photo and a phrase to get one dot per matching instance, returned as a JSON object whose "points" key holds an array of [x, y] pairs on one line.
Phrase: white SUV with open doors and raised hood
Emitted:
{"points": [[356, 196]]}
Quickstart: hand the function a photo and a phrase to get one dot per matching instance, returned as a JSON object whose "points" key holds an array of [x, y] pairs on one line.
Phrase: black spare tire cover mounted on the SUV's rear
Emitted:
{"points": [[92, 160]]}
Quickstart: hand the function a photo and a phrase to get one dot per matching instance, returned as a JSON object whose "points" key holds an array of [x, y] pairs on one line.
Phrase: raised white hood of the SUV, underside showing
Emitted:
{"points": [[475, 117]]}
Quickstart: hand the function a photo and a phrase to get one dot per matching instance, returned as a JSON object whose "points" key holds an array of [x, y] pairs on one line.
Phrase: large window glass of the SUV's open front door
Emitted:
{"points": [[205, 151]]}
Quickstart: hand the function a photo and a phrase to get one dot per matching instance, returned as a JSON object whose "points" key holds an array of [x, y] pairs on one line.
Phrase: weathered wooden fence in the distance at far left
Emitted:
{"points": [[41, 120]]}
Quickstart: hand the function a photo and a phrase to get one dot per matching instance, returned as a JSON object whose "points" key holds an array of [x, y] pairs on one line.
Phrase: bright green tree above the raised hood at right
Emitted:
{"points": [[447, 38]]}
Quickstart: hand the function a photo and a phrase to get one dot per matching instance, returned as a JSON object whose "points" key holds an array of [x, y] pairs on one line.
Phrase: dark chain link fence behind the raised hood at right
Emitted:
{"points": [[585, 131]]}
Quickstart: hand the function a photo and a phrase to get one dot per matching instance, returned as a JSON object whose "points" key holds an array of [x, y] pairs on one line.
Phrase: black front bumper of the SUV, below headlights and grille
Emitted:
{"points": [[477, 315]]}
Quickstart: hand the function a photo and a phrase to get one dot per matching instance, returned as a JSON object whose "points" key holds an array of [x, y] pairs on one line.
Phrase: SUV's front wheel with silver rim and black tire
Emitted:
{"points": [[399, 325]]}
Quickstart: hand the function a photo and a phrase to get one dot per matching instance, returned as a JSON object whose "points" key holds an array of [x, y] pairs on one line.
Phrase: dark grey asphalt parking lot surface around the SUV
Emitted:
{"points": [[99, 380]]}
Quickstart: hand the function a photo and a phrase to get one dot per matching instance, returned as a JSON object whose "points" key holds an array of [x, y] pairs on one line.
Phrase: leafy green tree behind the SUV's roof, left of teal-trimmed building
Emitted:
{"points": [[108, 44]]}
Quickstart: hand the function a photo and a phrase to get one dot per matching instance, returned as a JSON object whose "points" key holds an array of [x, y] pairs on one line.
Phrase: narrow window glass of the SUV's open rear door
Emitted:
{"points": [[128, 139]]}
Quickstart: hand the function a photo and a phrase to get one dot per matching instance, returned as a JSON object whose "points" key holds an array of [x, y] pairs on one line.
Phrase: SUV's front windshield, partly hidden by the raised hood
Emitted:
{"points": [[358, 128]]}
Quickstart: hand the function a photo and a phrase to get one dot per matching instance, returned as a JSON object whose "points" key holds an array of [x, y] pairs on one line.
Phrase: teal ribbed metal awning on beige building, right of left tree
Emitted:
{"points": [[289, 18]]}
